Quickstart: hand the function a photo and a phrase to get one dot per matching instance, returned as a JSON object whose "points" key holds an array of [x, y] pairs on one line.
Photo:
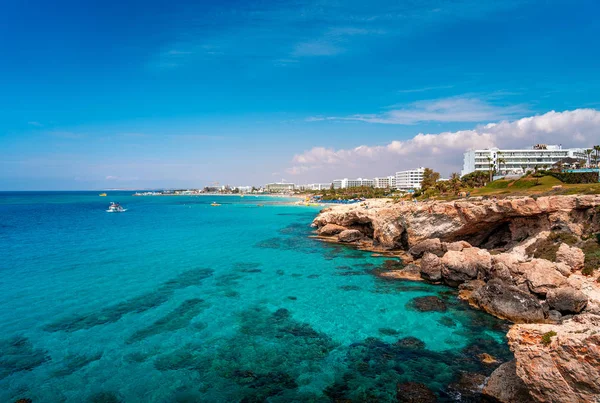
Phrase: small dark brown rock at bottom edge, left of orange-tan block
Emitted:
{"points": [[505, 386]]}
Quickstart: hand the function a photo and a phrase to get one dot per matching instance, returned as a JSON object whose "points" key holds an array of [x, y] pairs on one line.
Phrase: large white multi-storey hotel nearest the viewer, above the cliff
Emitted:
{"points": [[540, 156]]}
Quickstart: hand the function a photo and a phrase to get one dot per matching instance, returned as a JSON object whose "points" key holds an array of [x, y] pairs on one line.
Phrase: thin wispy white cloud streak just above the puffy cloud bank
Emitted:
{"points": [[454, 109]]}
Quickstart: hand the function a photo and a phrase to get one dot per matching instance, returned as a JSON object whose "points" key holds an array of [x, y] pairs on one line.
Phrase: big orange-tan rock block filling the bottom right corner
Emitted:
{"points": [[567, 369]]}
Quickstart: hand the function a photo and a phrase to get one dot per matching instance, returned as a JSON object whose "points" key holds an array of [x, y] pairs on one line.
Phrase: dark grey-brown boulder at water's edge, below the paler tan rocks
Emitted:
{"points": [[508, 302]]}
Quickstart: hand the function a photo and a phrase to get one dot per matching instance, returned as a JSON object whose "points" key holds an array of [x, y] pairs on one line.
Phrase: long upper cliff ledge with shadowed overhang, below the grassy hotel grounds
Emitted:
{"points": [[398, 225]]}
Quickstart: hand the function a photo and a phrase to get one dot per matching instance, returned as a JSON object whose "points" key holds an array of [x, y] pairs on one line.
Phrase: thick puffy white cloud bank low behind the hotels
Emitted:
{"points": [[444, 151]]}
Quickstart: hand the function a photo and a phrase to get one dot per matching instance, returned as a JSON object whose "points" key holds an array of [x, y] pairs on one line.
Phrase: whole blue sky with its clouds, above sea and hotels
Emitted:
{"points": [[131, 94]]}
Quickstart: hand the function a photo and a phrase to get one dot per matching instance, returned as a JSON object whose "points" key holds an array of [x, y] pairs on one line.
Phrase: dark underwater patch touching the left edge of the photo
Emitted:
{"points": [[18, 354]]}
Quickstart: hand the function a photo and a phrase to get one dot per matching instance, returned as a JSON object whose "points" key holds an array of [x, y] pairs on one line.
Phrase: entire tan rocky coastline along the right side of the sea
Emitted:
{"points": [[532, 261]]}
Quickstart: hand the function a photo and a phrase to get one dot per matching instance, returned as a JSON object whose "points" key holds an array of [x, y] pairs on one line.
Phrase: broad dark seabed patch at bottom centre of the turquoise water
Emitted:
{"points": [[261, 362]]}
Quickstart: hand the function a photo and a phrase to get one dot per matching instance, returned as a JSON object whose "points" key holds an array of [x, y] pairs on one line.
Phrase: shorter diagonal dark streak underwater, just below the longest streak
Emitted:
{"points": [[175, 320]]}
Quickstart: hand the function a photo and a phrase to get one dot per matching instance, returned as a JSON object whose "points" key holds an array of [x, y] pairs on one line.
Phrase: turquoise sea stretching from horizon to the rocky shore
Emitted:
{"points": [[178, 301]]}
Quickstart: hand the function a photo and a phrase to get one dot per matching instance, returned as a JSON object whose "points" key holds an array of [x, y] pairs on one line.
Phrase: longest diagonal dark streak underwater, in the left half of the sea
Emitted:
{"points": [[139, 304]]}
